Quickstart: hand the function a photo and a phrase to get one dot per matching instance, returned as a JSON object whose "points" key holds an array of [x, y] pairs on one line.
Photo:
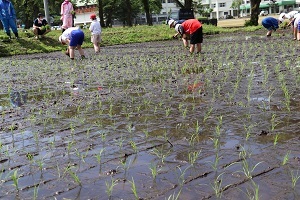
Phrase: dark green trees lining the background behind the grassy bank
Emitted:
{"points": [[123, 10]]}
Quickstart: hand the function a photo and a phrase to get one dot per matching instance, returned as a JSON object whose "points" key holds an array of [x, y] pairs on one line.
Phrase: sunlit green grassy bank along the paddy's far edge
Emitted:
{"points": [[27, 44]]}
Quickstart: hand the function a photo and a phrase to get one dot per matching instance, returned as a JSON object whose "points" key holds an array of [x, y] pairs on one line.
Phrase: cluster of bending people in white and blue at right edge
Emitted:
{"points": [[272, 24]]}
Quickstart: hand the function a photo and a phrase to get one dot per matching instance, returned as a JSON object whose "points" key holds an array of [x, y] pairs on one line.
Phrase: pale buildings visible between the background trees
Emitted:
{"points": [[221, 9]]}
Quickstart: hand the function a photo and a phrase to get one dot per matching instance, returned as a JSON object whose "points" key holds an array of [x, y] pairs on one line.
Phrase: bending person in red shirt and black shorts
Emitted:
{"points": [[192, 28]]}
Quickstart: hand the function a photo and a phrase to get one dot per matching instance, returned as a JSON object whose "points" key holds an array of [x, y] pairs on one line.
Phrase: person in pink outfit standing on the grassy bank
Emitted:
{"points": [[66, 14]]}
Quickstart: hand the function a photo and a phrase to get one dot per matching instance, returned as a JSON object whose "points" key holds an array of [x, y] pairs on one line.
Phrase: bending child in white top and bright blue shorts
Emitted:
{"points": [[73, 37]]}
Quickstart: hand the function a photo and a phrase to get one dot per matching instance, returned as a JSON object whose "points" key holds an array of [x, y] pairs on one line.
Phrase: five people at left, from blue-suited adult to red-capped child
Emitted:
{"points": [[71, 36]]}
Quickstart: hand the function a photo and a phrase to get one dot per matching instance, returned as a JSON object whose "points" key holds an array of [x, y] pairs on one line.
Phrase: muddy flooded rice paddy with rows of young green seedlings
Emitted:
{"points": [[149, 121]]}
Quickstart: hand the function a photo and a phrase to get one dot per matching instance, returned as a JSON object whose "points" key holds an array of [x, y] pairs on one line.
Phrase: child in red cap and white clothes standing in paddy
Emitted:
{"points": [[95, 29]]}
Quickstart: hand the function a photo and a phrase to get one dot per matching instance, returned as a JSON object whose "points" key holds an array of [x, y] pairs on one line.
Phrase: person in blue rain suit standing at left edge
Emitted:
{"points": [[8, 17]]}
